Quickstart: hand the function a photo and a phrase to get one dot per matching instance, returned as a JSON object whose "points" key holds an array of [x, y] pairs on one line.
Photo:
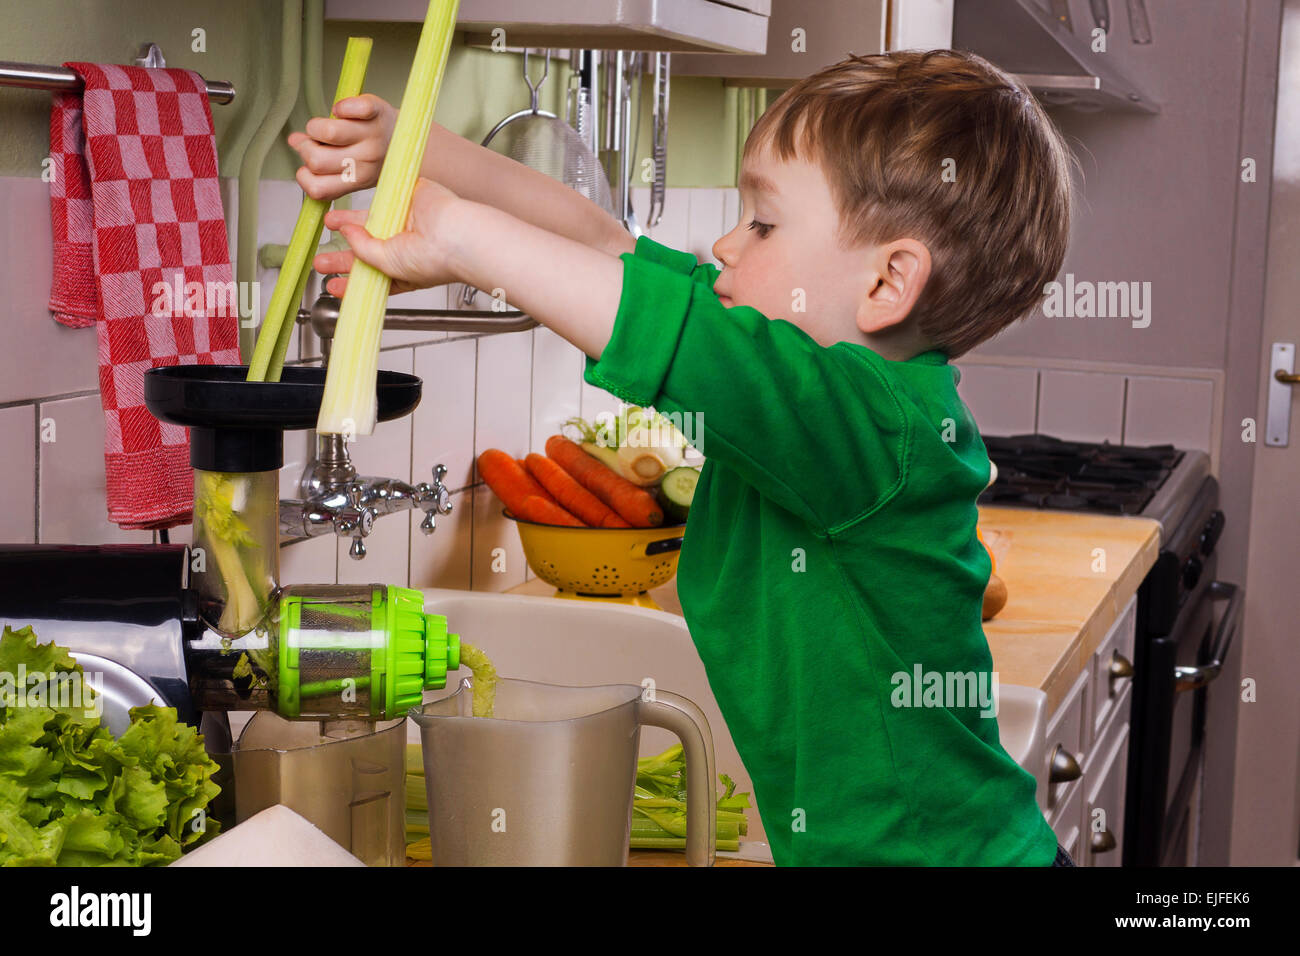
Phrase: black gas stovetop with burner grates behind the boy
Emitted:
{"points": [[1042, 471]]}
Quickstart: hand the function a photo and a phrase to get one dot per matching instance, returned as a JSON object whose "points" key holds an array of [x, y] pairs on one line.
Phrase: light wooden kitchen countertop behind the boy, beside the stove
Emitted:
{"points": [[1063, 599]]}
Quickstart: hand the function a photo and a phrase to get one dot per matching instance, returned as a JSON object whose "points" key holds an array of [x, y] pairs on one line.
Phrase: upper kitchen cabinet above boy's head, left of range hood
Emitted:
{"points": [[803, 38]]}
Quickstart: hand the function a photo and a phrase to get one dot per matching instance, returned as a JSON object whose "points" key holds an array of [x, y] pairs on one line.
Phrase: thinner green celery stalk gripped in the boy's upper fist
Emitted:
{"points": [[268, 357]]}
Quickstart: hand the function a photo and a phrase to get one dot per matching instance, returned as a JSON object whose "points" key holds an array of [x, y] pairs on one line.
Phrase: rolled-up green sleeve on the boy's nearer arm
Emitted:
{"points": [[818, 431]]}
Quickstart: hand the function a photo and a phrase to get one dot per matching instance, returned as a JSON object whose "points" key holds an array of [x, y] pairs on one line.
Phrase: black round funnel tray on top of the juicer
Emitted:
{"points": [[239, 426]]}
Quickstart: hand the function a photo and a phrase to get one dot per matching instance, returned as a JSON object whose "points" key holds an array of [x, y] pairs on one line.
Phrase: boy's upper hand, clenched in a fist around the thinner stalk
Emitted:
{"points": [[359, 132]]}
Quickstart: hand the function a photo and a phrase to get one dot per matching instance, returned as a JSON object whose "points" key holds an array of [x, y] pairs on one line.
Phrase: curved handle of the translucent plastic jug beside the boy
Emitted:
{"points": [[679, 716]]}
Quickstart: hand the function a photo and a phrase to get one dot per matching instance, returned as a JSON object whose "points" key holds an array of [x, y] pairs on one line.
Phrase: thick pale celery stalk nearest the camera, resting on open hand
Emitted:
{"points": [[349, 405]]}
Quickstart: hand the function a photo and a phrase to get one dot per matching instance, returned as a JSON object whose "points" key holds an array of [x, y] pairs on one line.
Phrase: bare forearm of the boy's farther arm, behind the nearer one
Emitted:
{"points": [[486, 176]]}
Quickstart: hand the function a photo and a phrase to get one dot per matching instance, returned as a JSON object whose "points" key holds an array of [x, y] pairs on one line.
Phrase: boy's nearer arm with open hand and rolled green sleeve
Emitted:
{"points": [[820, 431]]}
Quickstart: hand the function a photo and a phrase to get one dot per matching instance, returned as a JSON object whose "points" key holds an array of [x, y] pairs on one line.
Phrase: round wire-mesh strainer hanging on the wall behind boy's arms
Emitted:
{"points": [[541, 141]]}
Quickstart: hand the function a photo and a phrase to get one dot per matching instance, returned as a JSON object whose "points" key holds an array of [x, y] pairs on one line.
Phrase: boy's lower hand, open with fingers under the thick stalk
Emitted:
{"points": [[418, 258]]}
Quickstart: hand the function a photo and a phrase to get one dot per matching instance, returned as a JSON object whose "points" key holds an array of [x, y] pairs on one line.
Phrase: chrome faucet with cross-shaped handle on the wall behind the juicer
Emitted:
{"points": [[335, 499]]}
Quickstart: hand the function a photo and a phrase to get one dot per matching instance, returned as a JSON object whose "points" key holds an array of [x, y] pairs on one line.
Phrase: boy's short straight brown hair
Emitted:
{"points": [[886, 129]]}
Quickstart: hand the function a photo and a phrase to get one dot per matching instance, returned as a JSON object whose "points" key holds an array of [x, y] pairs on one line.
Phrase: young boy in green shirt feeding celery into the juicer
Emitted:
{"points": [[896, 211]]}
